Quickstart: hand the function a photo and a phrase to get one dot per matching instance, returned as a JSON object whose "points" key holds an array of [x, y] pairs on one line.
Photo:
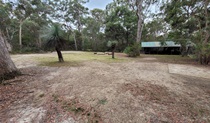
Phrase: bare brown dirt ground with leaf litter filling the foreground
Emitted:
{"points": [[137, 91]]}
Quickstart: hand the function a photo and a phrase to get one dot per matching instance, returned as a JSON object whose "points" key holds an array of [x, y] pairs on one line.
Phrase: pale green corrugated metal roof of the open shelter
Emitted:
{"points": [[158, 44]]}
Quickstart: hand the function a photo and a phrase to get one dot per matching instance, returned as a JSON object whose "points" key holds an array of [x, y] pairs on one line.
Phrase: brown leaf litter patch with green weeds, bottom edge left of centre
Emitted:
{"points": [[59, 106]]}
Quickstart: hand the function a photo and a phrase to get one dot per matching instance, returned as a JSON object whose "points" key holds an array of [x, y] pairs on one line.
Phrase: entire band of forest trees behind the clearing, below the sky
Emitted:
{"points": [[127, 22]]}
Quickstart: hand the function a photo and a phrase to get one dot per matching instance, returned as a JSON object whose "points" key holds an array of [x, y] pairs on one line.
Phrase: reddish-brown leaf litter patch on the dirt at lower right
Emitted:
{"points": [[179, 108]]}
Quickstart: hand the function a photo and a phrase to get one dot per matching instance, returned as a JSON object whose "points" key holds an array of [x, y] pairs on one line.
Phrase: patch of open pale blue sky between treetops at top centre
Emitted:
{"points": [[101, 4]]}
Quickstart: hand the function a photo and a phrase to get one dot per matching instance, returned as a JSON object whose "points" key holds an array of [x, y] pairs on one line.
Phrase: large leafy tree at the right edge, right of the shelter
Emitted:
{"points": [[190, 20]]}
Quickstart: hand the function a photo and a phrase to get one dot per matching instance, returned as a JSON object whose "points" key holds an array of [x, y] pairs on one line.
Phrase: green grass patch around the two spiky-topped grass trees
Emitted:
{"points": [[76, 59]]}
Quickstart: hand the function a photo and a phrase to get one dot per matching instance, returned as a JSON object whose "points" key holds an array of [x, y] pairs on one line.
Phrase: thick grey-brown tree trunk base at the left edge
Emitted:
{"points": [[7, 68]]}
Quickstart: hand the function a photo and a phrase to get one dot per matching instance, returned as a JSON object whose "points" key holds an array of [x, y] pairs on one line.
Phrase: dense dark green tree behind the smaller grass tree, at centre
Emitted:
{"points": [[120, 24]]}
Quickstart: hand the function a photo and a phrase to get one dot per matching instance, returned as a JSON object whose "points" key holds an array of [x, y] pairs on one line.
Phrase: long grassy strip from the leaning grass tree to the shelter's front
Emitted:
{"points": [[75, 59]]}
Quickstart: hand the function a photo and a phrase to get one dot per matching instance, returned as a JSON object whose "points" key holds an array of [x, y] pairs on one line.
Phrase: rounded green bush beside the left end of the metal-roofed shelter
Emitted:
{"points": [[133, 50]]}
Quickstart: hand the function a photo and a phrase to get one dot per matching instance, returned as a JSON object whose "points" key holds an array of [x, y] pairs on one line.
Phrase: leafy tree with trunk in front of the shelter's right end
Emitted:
{"points": [[179, 15]]}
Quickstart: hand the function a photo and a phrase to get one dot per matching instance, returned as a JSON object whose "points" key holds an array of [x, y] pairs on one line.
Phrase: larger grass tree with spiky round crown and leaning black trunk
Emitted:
{"points": [[53, 37]]}
